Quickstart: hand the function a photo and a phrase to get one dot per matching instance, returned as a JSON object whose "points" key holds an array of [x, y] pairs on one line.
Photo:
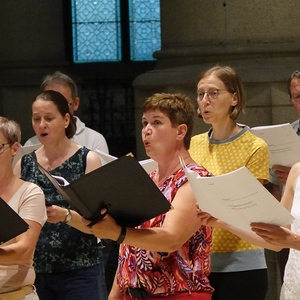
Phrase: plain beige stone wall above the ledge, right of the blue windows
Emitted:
{"points": [[214, 22]]}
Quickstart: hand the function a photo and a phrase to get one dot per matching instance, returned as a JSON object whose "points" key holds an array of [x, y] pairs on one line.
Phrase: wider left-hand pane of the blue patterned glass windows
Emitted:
{"points": [[96, 30]]}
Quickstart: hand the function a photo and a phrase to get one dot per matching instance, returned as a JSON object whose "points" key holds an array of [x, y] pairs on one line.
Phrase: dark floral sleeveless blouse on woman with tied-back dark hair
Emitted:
{"points": [[60, 247]]}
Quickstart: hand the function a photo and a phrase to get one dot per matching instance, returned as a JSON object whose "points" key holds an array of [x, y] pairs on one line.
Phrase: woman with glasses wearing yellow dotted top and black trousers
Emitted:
{"points": [[239, 268]]}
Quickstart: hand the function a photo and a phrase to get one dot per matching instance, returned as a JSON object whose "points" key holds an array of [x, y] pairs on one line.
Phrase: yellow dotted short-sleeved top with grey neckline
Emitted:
{"points": [[244, 149]]}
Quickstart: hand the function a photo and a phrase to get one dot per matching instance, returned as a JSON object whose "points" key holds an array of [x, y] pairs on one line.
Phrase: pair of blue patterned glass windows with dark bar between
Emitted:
{"points": [[115, 30]]}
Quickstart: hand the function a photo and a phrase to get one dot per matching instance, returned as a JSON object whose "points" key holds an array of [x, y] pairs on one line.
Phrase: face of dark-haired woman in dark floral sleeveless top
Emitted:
{"points": [[47, 122]]}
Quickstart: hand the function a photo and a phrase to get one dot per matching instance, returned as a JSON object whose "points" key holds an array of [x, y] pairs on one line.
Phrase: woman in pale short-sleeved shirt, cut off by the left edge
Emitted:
{"points": [[27, 199]]}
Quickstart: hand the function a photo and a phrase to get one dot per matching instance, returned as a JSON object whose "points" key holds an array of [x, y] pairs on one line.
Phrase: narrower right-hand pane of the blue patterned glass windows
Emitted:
{"points": [[144, 24]]}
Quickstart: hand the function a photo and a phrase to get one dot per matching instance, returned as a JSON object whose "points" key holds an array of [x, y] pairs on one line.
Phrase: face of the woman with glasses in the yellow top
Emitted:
{"points": [[215, 111]]}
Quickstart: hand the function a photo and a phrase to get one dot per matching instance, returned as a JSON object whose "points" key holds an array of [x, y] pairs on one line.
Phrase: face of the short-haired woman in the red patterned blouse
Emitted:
{"points": [[159, 136]]}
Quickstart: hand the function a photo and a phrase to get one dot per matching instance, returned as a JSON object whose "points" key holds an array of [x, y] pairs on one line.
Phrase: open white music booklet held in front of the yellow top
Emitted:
{"points": [[237, 198]]}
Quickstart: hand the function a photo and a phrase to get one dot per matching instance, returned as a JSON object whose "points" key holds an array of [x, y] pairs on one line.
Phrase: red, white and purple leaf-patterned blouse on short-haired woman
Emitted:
{"points": [[165, 273]]}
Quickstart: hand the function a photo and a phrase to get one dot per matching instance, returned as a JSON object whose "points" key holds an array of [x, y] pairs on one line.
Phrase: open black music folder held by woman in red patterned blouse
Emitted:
{"points": [[122, 186]]}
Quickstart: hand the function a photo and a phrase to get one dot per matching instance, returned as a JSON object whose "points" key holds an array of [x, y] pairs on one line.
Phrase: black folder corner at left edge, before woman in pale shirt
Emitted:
{"points": [[11, 224]]}
